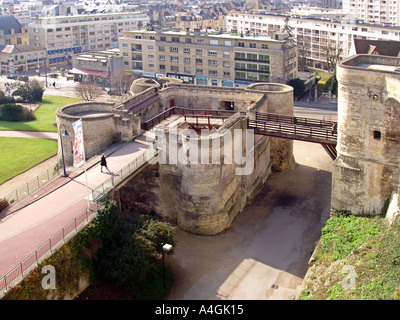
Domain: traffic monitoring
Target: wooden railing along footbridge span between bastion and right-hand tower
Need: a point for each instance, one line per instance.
(294, 131)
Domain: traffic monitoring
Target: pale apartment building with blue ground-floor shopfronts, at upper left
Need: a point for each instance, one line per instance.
(64, 35)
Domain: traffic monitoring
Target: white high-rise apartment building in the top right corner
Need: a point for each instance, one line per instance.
(374, 11)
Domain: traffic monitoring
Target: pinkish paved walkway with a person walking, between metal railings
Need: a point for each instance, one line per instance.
(46, 212)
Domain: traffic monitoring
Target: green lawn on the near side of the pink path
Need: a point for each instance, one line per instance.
(20, 154)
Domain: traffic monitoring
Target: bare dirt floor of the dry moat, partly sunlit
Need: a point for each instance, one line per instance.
(265, 253)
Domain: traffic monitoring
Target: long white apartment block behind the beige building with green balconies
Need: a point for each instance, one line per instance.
(312, 35)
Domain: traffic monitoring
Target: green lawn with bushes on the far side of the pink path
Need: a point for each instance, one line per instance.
(45, 116)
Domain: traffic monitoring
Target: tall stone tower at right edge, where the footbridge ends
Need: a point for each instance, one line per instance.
(367, 169)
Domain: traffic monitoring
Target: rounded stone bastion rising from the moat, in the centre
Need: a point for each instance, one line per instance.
(205, 198)
